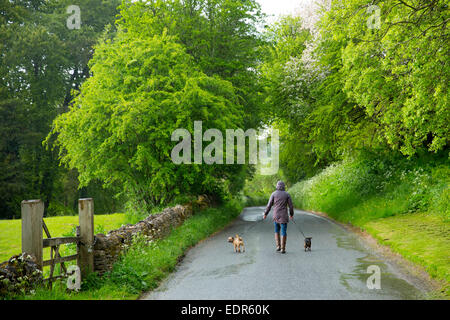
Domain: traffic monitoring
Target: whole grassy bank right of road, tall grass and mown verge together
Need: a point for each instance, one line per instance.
(404, 204)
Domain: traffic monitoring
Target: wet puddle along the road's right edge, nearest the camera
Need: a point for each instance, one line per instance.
(392, 287)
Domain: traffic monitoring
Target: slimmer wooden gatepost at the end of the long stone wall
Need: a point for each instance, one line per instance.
(86, 219)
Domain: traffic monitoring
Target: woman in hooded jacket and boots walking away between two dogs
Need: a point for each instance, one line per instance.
(280, 200)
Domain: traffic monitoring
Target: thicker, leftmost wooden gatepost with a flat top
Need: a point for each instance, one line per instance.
(32, 215)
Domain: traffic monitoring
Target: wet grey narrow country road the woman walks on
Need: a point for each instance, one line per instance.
(336, 268)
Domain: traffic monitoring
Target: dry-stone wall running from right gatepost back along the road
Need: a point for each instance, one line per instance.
(107, 248)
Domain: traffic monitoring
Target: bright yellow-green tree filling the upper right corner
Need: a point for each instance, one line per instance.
(398, 73)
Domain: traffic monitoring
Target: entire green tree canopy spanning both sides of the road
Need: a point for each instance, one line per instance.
(350, 76)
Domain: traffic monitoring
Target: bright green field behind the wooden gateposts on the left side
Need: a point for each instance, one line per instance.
(10, 231)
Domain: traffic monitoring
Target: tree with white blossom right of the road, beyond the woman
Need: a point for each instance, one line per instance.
(289, 96)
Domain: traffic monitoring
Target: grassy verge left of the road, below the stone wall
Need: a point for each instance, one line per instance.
(145, 264)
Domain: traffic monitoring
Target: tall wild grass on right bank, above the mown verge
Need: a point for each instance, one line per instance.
(366, 188)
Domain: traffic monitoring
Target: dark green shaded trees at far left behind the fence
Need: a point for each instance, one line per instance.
(41, 62)
